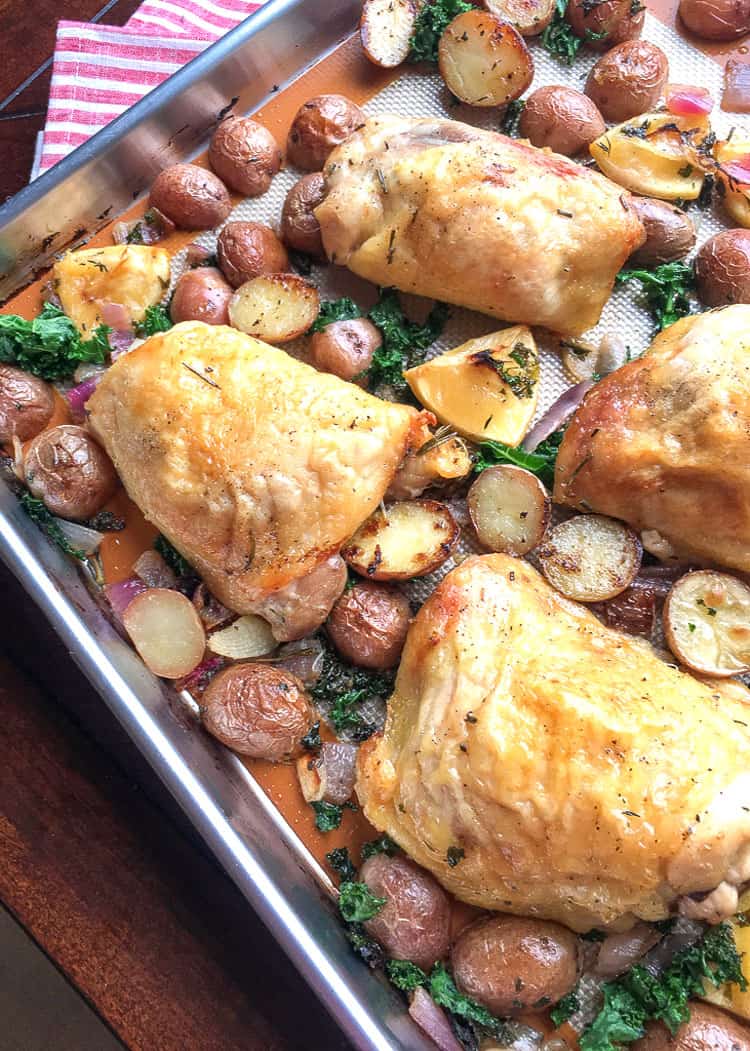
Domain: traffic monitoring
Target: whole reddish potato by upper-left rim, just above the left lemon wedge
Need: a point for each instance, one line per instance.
(194, 198)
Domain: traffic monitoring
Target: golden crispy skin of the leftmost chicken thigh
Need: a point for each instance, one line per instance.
(256, 466)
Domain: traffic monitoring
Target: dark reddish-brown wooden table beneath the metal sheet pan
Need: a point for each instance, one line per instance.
(96, 862)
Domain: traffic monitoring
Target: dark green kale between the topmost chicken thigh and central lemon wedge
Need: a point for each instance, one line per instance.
(403, 341)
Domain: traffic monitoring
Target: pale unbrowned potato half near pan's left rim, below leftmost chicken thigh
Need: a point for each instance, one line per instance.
(166, 631)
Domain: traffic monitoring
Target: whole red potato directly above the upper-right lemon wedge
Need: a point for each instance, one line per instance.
(629, 80)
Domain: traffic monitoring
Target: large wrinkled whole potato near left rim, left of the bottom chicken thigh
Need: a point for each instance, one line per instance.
(258, 711)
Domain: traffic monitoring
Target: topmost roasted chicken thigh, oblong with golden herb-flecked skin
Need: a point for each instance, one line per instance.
(476, 219)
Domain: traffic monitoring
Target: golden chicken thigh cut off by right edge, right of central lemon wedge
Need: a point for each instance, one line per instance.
(664, 443)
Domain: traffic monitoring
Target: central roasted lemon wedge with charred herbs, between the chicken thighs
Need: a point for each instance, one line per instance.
(486, 389)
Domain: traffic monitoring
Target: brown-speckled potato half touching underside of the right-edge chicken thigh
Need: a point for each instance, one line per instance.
(591, 559)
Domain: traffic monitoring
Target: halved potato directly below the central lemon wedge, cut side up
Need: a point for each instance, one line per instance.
(510, 509)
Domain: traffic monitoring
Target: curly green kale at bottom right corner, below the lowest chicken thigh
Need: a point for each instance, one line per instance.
(639, 997)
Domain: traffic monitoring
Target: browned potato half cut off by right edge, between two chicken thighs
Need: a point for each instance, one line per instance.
(707, 623)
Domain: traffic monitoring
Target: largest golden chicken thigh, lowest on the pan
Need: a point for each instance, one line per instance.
(587, 780)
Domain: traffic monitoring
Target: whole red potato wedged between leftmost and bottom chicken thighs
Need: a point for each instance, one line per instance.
(368, 626)
